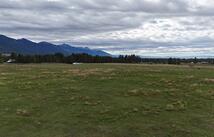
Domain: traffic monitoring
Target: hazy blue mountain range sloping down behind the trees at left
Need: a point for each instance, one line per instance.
(25, 46)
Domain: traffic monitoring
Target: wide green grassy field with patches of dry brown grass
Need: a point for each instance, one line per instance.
(106, 100)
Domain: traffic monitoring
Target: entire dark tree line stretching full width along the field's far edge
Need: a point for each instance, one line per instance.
(85, 58)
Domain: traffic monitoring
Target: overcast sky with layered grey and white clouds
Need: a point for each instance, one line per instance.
(153, 28)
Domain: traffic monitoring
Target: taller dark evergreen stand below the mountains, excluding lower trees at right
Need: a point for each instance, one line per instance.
(81, 58)
